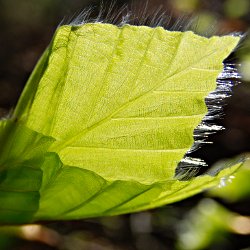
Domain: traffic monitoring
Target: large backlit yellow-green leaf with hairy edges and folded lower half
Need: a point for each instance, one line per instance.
(107, 115)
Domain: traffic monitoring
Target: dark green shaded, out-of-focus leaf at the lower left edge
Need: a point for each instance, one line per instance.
(20, 173)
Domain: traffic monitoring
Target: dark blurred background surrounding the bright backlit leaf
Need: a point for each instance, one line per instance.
(26, 29)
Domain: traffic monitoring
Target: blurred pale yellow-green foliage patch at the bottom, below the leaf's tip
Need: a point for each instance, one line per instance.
(208, 222)
